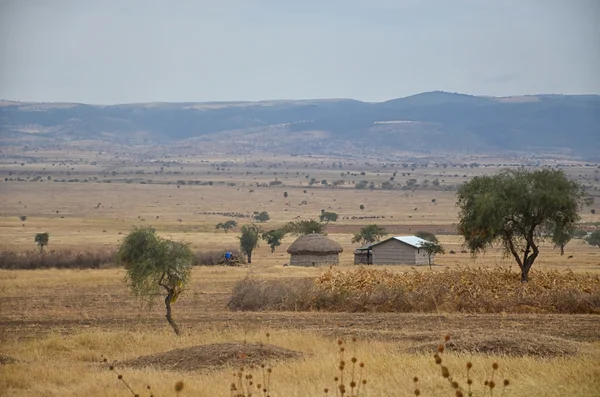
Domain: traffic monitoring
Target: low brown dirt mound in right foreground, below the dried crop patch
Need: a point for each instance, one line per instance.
(510, 344)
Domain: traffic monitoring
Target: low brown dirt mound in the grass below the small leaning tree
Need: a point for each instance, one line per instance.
(212, 356)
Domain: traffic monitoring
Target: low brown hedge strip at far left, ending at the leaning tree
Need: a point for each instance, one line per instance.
(60, 259)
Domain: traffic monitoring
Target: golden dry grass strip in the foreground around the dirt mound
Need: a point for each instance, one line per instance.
(58, 366)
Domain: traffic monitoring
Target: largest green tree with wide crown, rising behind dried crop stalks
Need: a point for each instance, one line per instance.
(516, 208)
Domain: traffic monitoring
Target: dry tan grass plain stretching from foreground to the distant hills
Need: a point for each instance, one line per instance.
(56, 324)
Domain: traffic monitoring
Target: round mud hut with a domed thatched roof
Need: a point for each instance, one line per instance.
(314, 250)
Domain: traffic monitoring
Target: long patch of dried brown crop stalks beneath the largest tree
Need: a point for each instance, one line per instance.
(470, 290)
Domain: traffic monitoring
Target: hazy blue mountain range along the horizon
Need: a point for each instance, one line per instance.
(431, 122)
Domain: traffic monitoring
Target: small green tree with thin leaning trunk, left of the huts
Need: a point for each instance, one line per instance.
(153, 263)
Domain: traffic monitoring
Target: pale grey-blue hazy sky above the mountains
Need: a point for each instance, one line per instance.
(115, 51)
